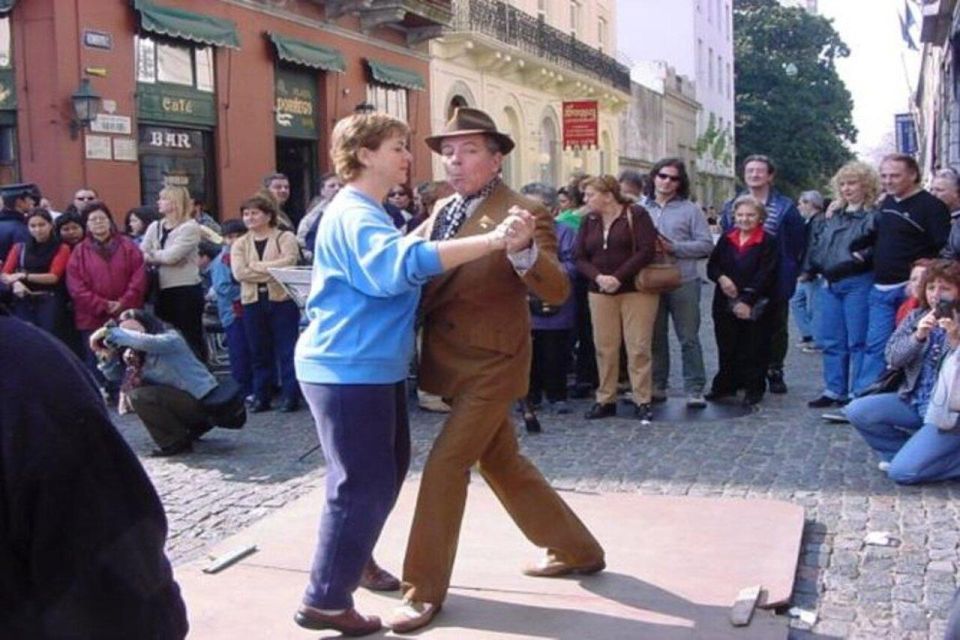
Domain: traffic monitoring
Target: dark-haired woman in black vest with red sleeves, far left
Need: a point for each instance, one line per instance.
(34, 272)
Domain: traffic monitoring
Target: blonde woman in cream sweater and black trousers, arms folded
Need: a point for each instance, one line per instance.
(170, 251)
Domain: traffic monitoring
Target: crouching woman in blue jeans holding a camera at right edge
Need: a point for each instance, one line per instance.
(902, 427)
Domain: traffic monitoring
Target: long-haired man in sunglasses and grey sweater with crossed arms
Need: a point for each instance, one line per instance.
(686, 236)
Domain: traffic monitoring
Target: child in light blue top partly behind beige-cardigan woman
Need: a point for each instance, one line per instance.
(227, 292)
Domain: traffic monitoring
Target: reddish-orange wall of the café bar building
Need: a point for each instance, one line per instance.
(49, 61)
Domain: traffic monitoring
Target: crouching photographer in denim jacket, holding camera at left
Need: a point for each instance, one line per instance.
(162, 378)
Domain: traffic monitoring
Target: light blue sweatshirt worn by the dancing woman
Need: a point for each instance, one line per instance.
(363, 296)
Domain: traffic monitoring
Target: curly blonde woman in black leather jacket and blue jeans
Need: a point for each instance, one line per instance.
(840, 249)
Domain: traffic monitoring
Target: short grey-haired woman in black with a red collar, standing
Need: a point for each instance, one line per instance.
(744, 266)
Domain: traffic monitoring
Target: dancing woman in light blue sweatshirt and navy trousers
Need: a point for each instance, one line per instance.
(353, 358)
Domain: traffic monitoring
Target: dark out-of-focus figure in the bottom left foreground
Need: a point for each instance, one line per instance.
(81, 528)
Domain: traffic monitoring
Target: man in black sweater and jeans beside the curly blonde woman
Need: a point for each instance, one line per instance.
(912, 224)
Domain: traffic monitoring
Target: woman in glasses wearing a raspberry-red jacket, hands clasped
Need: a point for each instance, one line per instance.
(105, 276)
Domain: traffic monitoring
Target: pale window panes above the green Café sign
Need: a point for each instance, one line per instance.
(174, 63)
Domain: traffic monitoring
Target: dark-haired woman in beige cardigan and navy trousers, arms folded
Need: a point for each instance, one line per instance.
(270, 317)
